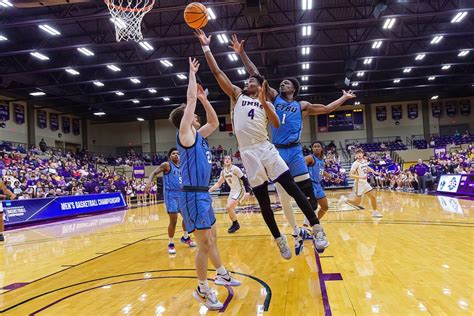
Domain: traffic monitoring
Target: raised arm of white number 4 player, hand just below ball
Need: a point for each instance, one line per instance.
(223, 81)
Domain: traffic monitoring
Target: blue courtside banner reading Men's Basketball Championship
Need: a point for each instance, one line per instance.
(27, 211)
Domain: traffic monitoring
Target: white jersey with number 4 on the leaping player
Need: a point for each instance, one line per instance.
(250, 121)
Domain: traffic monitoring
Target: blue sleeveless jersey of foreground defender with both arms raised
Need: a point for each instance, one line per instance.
(196, 163)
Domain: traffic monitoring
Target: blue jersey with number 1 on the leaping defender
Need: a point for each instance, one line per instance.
(291, 122)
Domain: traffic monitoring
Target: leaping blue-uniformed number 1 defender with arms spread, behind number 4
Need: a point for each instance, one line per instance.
(287, 137)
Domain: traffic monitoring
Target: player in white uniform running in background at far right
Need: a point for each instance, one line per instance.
(359, 171)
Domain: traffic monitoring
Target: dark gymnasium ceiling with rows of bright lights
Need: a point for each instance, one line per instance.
(341, 31)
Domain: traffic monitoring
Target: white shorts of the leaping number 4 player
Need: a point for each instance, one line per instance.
(262, 162)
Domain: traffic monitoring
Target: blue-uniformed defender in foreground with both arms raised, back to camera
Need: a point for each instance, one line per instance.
(196, 165)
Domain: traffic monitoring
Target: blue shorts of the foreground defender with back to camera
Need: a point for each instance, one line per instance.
(197, 210)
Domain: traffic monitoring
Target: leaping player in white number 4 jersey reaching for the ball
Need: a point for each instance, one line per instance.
(250, 116)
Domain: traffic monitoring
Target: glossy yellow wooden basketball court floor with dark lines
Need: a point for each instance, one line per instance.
(418, 259)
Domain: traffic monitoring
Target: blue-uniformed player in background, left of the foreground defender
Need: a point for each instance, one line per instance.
(171, 194)
